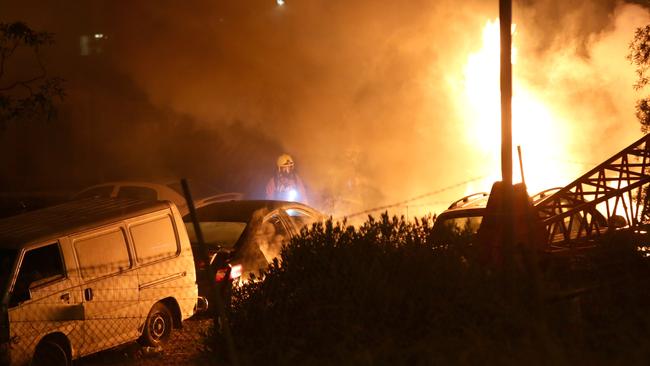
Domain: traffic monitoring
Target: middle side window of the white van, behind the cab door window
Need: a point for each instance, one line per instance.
(102, 255)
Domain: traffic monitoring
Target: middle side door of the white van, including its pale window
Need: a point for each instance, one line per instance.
(110, 288)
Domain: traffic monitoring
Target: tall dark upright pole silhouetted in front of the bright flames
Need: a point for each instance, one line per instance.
(505, 20)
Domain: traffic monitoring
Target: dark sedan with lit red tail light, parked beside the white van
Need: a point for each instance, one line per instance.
(242, 238)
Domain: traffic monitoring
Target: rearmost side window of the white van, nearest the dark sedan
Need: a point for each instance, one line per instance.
(154, 240)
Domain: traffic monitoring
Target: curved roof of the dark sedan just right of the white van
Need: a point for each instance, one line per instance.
(243, 210)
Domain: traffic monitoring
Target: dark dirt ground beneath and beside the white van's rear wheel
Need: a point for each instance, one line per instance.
(183, 348)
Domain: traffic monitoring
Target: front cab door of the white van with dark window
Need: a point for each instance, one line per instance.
(44, 299)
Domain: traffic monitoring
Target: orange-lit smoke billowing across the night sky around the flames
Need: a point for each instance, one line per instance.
(366, 95)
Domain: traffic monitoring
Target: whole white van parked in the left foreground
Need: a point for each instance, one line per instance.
(89, 275)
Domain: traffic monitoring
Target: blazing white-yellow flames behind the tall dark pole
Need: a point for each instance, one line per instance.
(536, 127)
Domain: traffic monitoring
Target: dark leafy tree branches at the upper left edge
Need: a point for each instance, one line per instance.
(30, 96)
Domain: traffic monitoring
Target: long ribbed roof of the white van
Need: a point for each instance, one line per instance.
(70, 217)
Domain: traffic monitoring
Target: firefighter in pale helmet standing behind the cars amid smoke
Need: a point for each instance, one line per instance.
(286, 185)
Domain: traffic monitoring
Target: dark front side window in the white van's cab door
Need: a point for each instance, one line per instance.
(39, 266)
